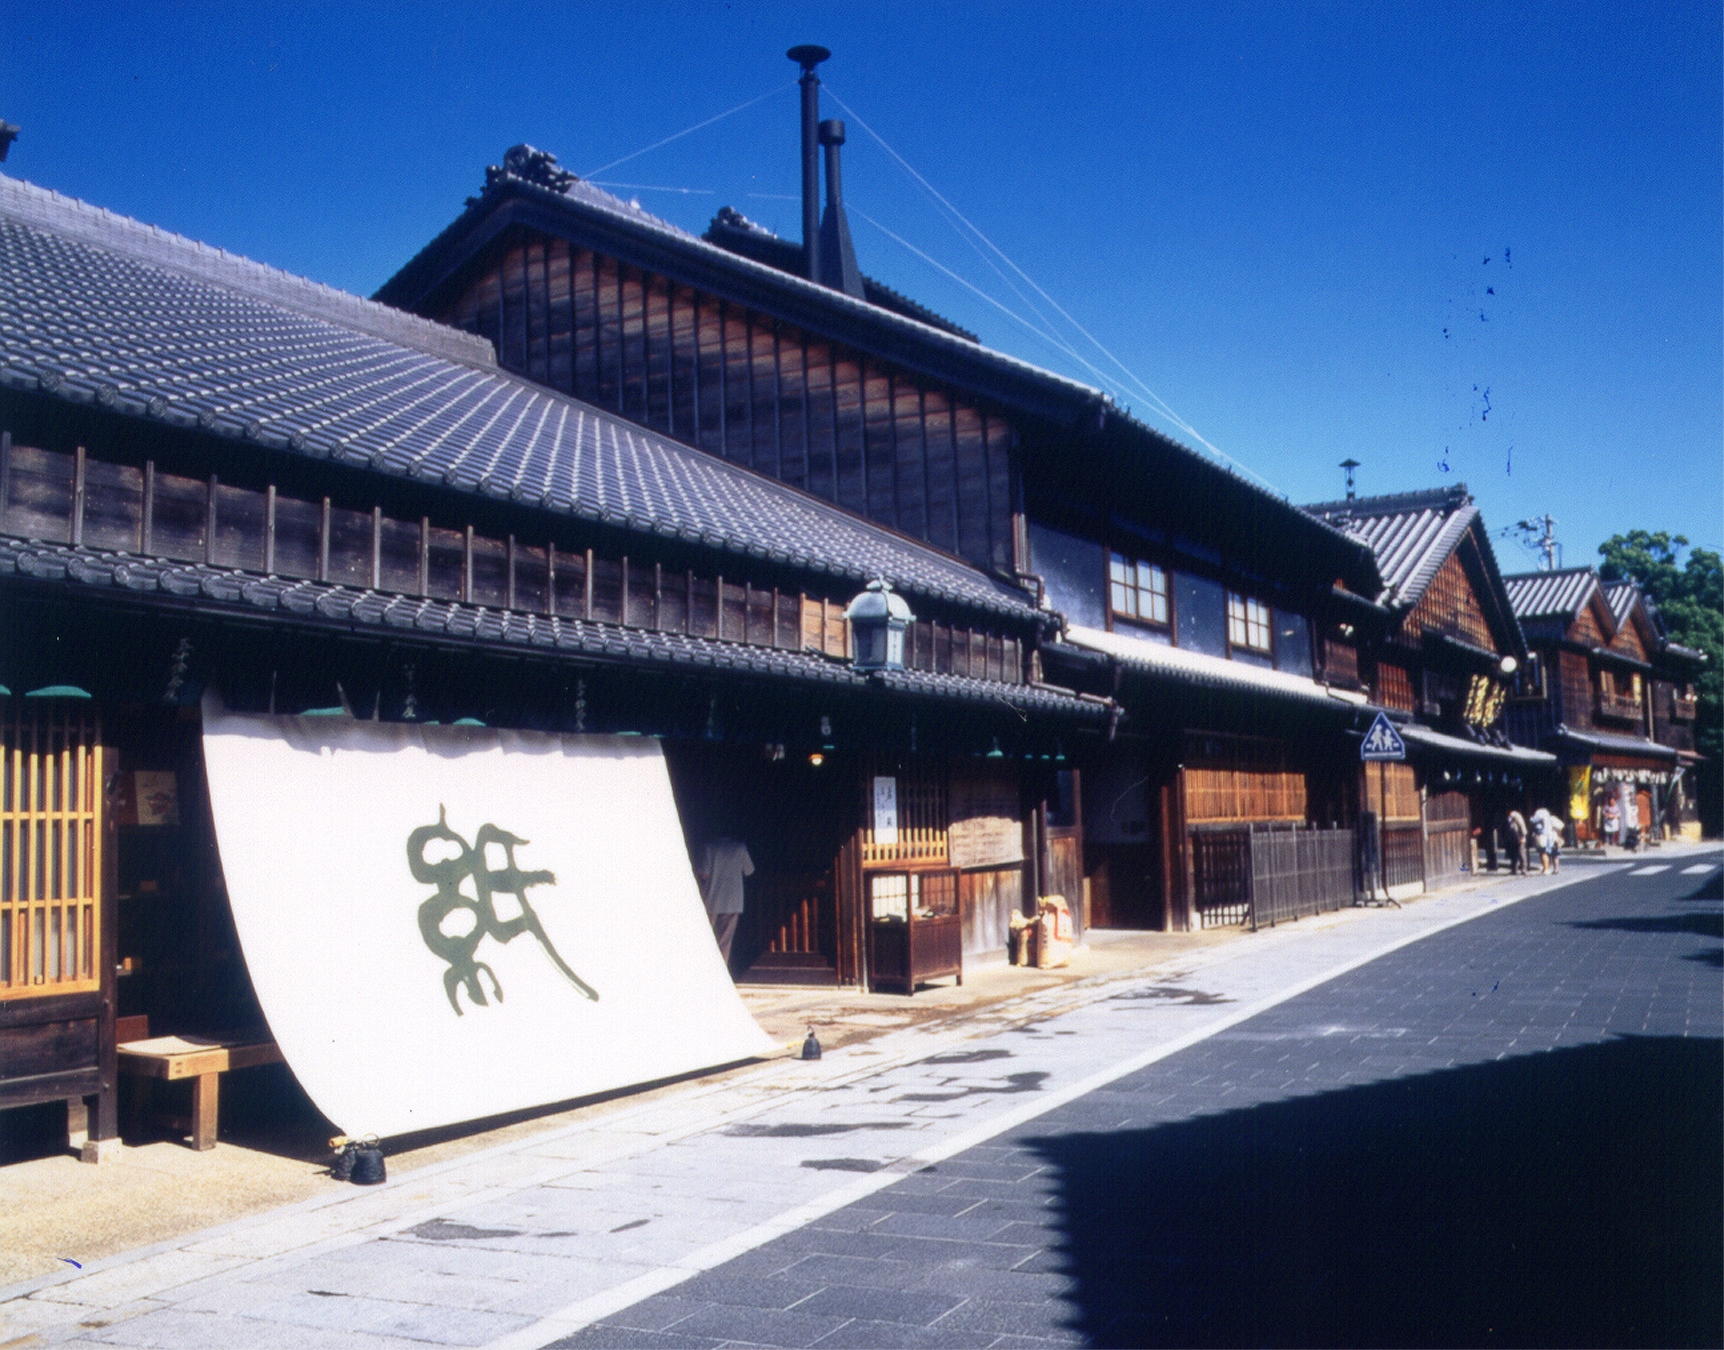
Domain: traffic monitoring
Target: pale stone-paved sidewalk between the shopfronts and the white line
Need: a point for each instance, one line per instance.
(532, 1242)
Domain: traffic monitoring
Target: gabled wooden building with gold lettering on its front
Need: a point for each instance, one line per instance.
(1444, 663)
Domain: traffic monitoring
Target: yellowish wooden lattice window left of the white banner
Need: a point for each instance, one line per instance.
(51, 851)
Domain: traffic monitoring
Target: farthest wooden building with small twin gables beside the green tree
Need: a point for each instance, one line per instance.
(1587, 696)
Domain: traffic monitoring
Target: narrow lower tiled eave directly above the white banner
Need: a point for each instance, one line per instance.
(325, 603)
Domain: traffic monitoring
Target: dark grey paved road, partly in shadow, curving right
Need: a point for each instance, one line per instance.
(1508, 1134)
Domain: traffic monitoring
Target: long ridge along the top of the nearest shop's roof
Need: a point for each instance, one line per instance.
(39, 208)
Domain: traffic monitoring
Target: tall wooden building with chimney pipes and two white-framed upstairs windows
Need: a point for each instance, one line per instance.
(865, 399)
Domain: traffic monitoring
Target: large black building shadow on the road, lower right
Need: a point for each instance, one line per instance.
(1556, 1199)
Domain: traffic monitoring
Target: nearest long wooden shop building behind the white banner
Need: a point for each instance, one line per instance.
(218, 478)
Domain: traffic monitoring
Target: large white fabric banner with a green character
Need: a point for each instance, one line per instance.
(453, 923)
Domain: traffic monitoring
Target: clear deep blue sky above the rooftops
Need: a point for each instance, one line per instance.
(1452, 242)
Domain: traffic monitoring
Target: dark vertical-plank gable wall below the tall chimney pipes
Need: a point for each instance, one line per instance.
(749, 387)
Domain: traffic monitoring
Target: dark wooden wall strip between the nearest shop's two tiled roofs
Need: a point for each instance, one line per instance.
(104, 503)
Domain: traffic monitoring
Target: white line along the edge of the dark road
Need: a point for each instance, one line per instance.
(587, 1311)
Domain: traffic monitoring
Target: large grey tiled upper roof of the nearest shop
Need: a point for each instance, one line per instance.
(96, 308)
